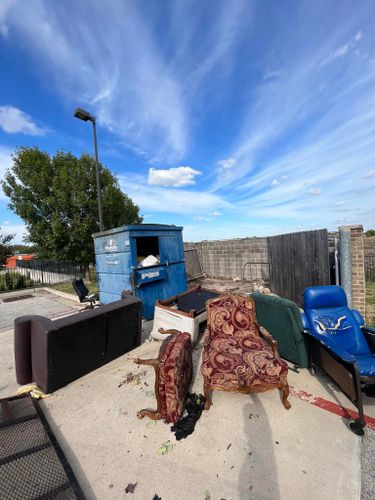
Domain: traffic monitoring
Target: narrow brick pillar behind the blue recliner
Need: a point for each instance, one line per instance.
(358, 269)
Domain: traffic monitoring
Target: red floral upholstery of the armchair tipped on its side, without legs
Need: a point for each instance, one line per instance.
(176, 368)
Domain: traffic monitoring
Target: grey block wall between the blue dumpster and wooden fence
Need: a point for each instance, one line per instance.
(227, 258)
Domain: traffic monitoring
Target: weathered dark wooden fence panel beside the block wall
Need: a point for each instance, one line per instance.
(298, 260)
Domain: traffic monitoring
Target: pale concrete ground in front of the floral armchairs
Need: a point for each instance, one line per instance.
(244, 447)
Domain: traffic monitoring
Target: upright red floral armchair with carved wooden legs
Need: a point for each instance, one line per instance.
(239, 355)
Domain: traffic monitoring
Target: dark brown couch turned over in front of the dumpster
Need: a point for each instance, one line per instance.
(54, 353)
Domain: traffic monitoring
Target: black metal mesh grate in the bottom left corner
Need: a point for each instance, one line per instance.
(32, 464)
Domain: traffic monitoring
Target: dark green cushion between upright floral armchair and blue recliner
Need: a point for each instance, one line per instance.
(281, 317)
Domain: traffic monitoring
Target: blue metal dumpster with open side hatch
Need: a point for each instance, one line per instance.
(119, 253)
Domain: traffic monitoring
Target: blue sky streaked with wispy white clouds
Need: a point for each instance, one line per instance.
(231, 118)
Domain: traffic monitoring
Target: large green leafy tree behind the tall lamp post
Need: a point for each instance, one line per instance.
(56, 197)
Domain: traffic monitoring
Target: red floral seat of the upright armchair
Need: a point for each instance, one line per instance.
(242, 360)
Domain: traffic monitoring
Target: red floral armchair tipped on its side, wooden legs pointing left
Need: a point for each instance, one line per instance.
(173, 371)
